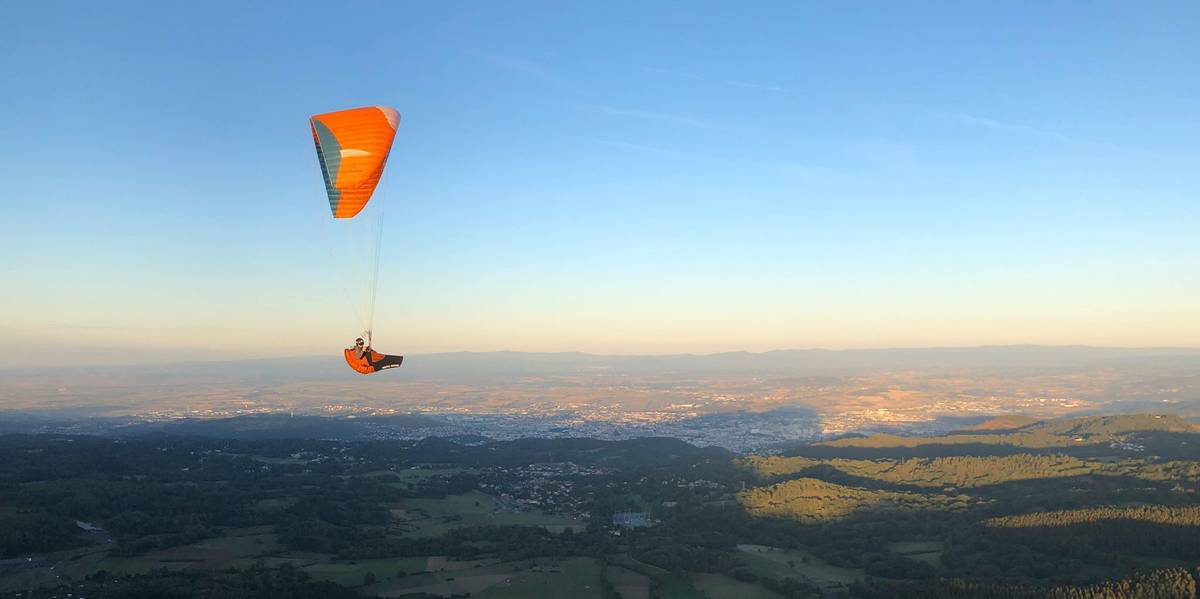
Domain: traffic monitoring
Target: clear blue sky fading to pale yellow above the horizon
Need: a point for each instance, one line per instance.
(603, 177)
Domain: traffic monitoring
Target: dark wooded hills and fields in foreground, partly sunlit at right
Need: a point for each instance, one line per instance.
(1069, 510)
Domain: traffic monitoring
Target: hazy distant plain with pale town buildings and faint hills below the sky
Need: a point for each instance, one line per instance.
(920, 390)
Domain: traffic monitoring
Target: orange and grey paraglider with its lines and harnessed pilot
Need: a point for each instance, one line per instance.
(353, 148)
